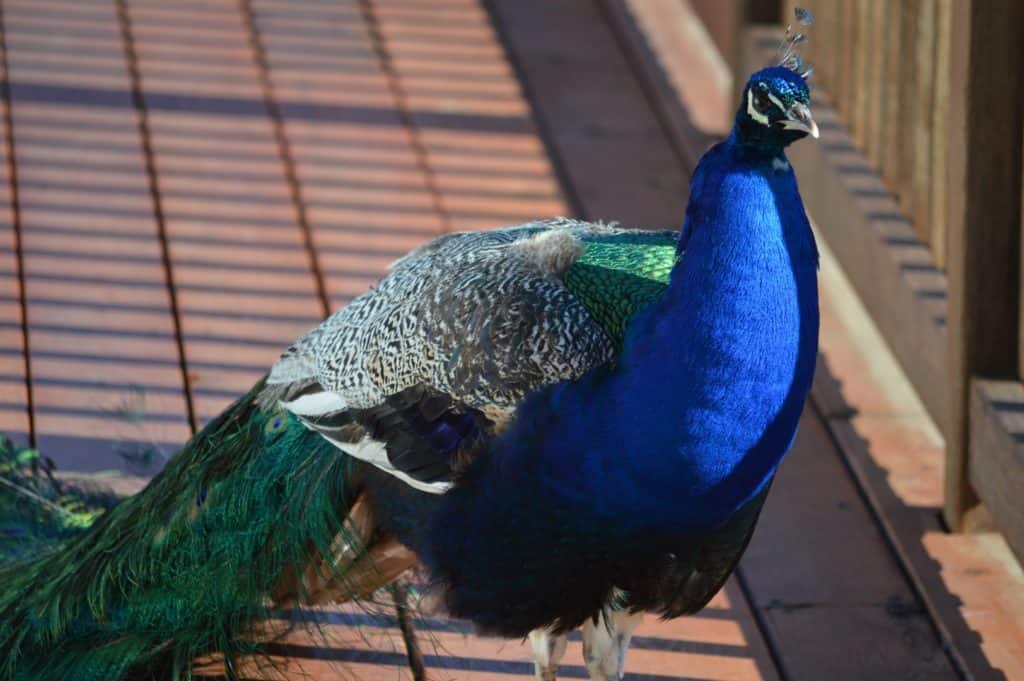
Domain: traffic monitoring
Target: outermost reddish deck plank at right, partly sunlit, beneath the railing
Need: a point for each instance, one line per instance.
(971, 584)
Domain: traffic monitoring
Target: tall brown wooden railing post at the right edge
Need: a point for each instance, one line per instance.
(985, 212)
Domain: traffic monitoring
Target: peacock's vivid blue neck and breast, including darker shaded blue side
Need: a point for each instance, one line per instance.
(709, 391)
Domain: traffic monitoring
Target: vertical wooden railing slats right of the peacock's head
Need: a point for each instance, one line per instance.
(886, 66)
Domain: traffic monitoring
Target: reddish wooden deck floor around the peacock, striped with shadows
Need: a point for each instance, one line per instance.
(190, 186)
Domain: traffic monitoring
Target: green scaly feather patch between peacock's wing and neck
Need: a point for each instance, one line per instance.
(618, 275)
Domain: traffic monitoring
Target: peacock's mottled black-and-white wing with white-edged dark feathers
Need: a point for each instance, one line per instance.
(416, 374)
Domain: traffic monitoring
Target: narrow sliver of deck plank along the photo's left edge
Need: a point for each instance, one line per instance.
(15, 421)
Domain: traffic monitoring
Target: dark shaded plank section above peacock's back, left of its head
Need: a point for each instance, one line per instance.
(614, 151)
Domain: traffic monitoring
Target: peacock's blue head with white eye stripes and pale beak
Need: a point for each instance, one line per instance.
(776, 110)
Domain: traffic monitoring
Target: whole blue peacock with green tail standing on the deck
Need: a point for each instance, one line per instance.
(565, 424)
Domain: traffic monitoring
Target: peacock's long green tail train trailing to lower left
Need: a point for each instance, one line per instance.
(185, 568)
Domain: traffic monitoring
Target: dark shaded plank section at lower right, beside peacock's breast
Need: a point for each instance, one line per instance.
(833, 597)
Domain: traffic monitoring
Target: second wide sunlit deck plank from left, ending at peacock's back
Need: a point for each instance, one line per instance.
(231, 224)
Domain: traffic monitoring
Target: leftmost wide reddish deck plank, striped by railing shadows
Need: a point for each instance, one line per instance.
(107, 381)
